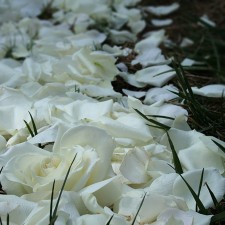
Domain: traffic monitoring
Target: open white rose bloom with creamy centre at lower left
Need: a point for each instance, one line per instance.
(28, 169)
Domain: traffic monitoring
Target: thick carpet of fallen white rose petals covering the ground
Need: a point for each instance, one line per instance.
(60, 71)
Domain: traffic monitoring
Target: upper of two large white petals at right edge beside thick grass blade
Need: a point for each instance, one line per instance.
(188, 144)
